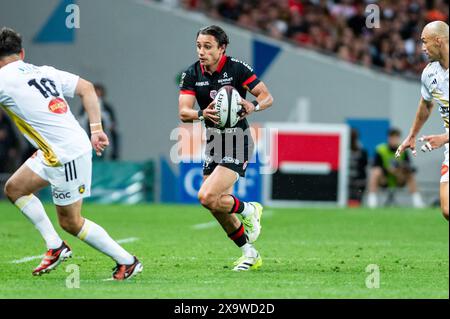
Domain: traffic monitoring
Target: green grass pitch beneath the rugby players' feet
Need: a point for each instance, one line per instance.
(307, 253)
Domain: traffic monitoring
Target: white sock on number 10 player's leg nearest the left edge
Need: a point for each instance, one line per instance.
(32, 208)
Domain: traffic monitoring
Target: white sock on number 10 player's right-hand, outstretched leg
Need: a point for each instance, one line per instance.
(98, 238)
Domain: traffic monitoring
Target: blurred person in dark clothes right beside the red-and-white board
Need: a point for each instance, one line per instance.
(358, 166)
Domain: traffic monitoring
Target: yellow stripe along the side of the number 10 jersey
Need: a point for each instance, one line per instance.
(26, 129)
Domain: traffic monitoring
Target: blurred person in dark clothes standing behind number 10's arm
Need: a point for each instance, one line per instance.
(108, 121)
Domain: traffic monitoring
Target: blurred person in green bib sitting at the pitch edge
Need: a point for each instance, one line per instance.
(391, 172)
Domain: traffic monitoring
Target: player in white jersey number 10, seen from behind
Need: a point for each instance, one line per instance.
(34, 98)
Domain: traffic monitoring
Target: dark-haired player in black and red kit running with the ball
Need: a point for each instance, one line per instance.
(229, 150)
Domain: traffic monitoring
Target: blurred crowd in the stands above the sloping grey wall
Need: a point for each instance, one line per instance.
(337, 27)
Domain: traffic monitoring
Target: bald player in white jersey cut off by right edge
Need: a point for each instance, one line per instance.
(435, 38)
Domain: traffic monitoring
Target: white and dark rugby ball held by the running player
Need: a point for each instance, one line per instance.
(227, 106)
